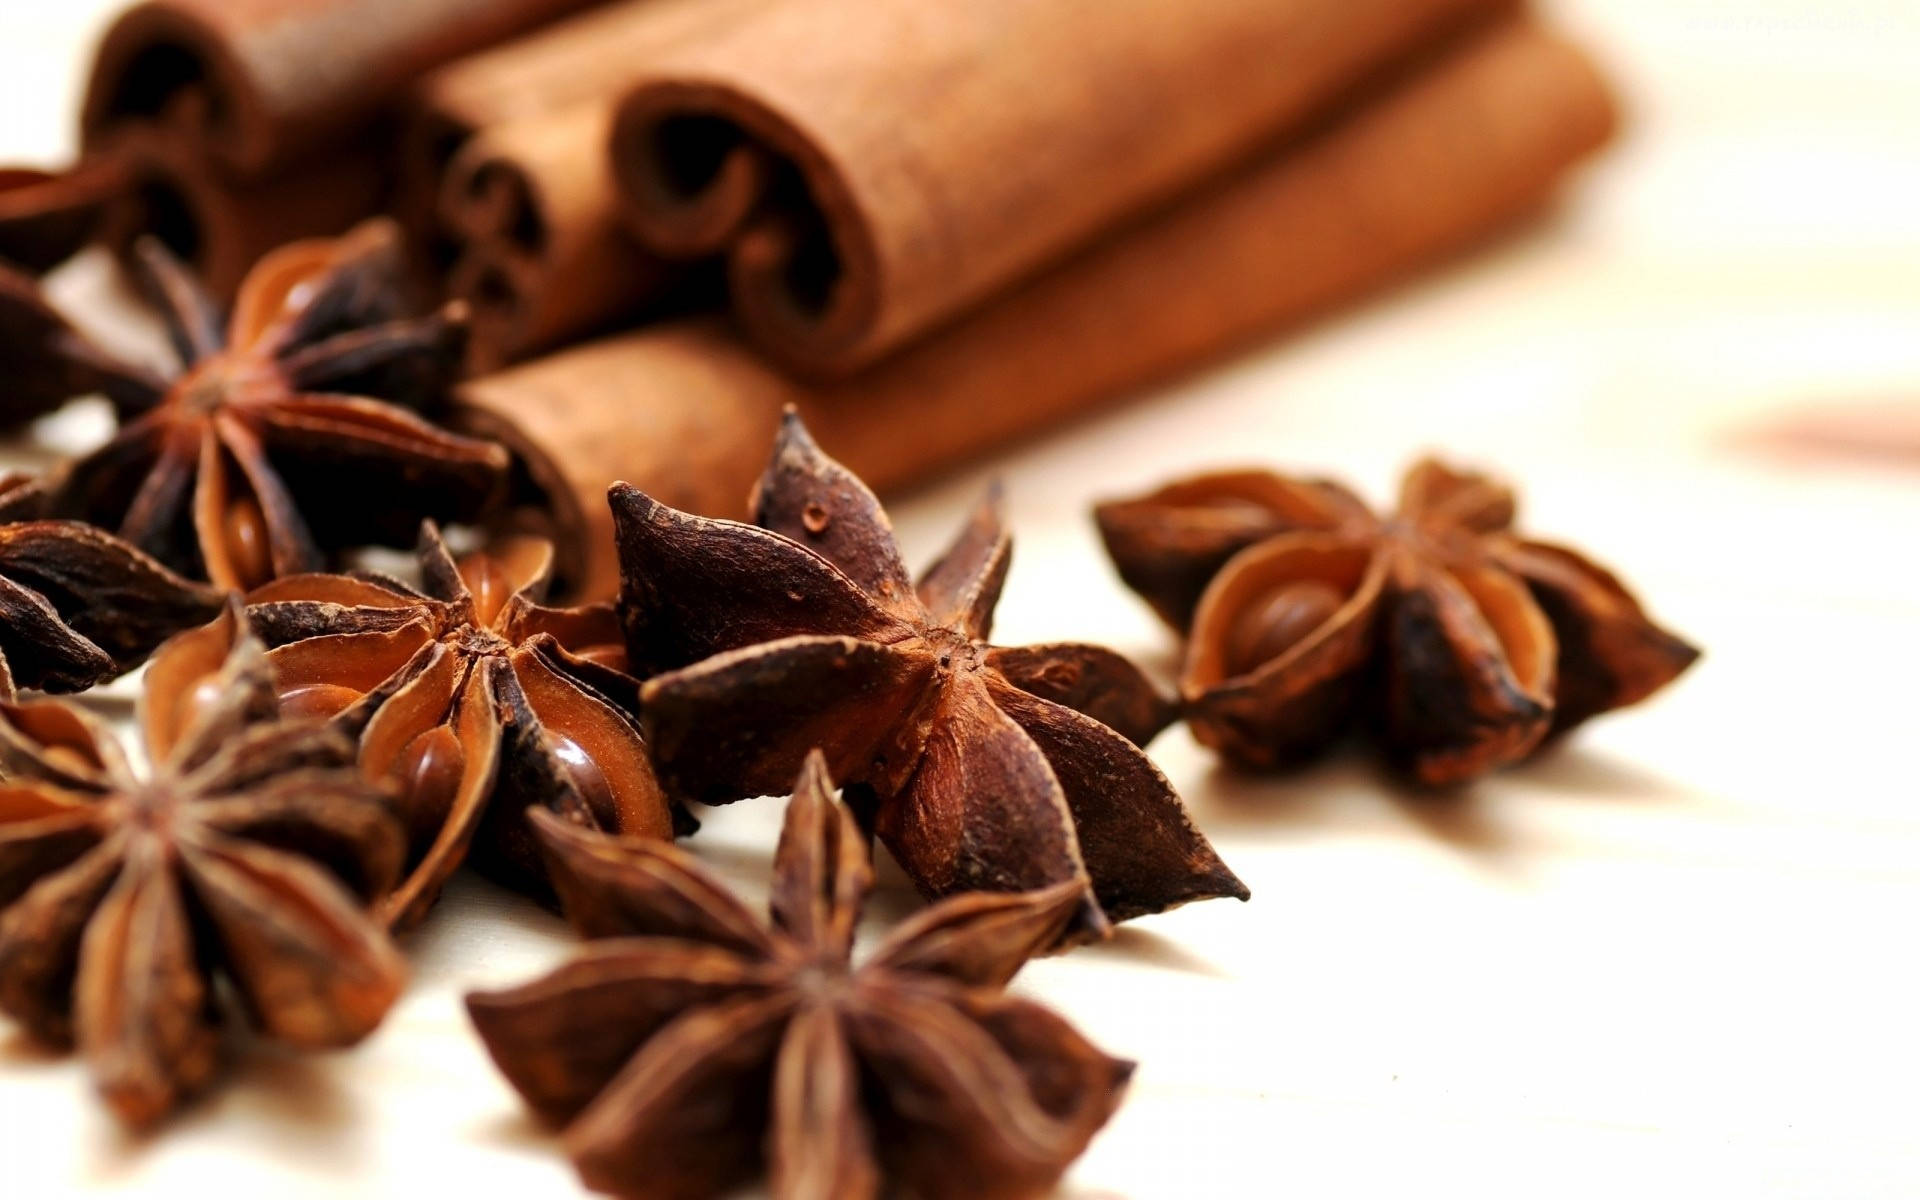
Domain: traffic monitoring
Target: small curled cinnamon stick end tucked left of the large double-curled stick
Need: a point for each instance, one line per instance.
(542, 254)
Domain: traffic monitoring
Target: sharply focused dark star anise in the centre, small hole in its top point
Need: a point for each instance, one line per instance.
(984, 767)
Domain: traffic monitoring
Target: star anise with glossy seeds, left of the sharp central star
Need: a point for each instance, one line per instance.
(473, 702)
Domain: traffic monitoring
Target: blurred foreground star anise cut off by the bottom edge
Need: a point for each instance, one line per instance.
(696, 1047)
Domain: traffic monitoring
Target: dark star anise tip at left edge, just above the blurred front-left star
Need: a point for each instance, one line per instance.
(78, 606)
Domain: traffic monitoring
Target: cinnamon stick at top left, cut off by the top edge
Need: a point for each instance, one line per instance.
(258, 84)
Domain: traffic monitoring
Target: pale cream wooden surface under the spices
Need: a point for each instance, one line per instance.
(1675, 959)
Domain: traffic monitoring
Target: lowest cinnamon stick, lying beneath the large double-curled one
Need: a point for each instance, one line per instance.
(686, 412)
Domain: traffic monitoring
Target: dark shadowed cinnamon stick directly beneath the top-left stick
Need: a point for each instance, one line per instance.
(218, 224)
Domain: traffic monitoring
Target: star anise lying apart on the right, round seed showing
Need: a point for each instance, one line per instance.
(1458, 640)
